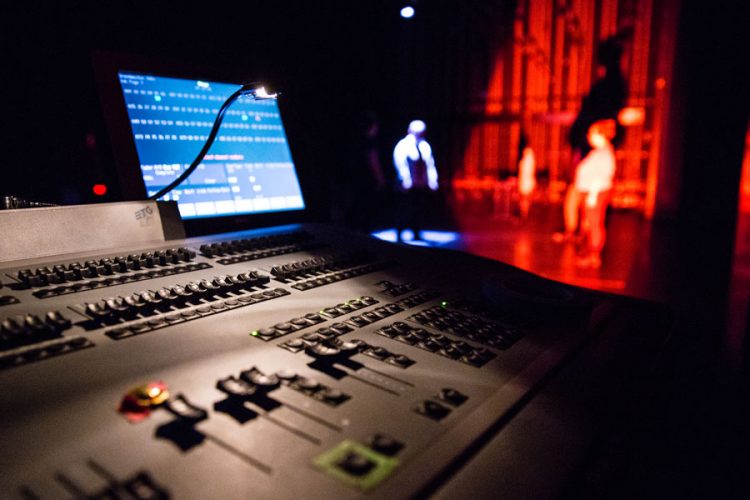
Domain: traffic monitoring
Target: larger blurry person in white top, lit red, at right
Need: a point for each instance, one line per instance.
(593, 183)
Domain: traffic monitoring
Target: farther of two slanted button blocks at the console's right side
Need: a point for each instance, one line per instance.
(470, 326)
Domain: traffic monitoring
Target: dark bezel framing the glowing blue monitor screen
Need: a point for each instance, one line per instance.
(106, 67)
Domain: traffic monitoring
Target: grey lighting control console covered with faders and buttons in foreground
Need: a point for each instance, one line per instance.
(289, 362)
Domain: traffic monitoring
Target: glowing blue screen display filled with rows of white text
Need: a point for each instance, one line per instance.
(249, 167)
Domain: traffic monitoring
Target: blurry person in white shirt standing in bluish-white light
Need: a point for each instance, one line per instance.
(417, 175)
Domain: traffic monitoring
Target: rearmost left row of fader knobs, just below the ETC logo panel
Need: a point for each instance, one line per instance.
(76, 271)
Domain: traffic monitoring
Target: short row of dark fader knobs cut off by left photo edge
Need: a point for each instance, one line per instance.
(30, 328)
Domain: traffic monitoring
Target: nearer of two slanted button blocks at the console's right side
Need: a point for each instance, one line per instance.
(437, 343)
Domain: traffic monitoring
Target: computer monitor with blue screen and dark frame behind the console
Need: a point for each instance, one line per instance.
(159, 119)
